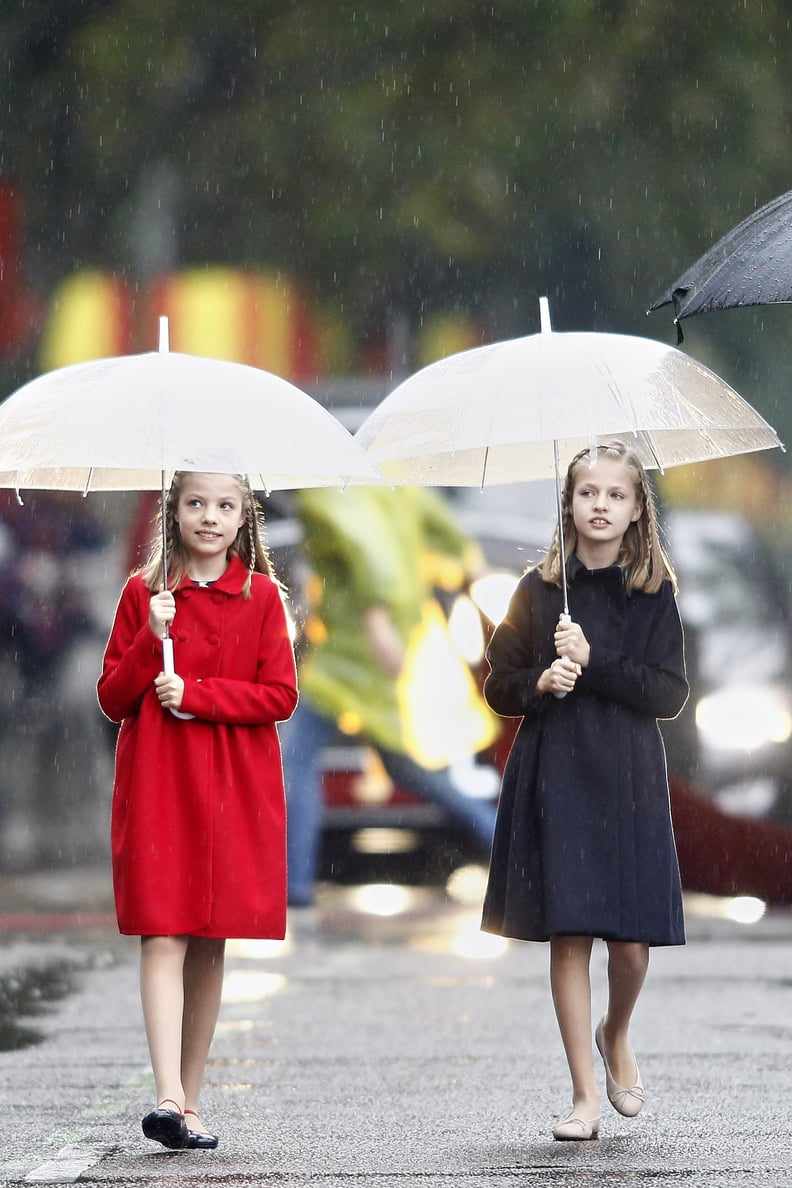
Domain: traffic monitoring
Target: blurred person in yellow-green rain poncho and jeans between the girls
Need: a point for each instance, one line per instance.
(376, 661)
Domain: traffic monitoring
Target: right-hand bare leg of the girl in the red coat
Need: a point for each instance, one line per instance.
(204, 984)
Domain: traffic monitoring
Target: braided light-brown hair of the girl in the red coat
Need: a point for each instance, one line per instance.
(249, 546)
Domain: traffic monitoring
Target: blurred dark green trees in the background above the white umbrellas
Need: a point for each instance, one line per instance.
(408, 159)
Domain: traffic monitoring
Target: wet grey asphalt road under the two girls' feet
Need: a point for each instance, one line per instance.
(389, 1051)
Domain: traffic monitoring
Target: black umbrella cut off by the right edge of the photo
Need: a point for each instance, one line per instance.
(751, 266)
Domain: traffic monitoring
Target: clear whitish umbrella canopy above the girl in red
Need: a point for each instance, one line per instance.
(123, 424)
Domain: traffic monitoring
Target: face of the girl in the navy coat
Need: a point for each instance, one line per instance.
(605, 504)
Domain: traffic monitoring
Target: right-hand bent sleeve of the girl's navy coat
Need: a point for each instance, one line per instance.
(656, 685)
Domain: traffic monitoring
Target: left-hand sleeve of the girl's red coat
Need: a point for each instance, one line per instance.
(134, 656)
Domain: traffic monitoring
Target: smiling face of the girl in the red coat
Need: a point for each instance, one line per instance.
(210, 514)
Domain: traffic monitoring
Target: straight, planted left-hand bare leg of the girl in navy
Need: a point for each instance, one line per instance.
(572, 991)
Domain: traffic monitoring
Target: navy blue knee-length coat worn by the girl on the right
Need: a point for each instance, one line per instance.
(584, 842)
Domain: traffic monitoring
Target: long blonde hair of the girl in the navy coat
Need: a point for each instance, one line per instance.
(642, 557)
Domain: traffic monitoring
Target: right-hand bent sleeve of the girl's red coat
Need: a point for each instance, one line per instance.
(273, 696)
